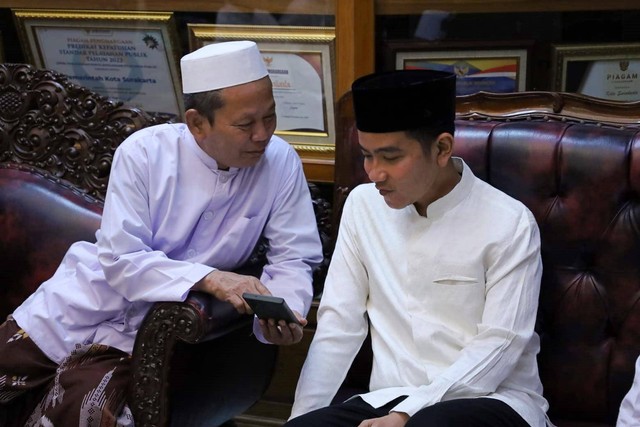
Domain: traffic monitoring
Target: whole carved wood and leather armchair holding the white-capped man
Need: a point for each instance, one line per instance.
(192, 362)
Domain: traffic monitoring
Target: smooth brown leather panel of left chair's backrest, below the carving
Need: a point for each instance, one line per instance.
(39, 220)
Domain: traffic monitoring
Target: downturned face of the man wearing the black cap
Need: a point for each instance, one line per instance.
(402, 172)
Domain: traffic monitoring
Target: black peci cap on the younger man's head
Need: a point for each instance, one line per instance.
(404, 100)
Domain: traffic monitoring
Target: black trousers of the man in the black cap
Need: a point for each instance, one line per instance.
(480, 412)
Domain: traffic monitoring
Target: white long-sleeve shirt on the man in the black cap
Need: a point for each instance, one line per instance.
(451, 299)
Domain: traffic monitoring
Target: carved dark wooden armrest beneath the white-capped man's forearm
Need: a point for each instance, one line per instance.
(200, 317)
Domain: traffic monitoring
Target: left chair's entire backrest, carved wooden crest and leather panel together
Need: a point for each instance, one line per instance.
(56, 146)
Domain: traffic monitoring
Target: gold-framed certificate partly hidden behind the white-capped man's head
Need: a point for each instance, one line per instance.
(300, 61)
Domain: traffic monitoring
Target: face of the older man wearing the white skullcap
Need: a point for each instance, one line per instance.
(243, 127)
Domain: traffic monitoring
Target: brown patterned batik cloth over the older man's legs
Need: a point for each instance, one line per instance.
(87, 389)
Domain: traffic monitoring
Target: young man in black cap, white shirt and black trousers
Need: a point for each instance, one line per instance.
(440, 268)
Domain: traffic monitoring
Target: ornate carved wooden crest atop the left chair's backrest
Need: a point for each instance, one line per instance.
(51, 124)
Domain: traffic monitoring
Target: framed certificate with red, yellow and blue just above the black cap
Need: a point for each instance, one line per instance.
(484, 67)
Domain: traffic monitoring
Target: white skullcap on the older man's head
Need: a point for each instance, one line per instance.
(220, 65)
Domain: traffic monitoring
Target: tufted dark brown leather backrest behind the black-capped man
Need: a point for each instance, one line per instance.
(581, 179)
